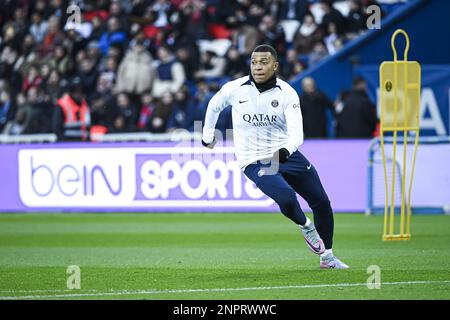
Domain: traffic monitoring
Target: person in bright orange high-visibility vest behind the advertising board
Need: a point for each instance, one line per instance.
(71, 117)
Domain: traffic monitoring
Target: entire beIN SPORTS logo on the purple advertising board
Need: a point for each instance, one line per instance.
(132, 177)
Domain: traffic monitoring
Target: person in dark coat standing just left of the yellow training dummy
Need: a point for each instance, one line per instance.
(358, 117)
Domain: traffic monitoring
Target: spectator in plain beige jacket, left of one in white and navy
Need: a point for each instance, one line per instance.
(136, 73)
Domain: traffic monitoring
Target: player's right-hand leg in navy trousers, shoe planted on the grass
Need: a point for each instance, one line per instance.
(304, 179)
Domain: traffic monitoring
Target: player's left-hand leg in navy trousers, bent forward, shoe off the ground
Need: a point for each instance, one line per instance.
(276, 187)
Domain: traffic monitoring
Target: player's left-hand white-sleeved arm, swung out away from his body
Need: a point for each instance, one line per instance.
(217, 103)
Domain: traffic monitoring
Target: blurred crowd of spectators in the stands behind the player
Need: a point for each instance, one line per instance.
(133, 66)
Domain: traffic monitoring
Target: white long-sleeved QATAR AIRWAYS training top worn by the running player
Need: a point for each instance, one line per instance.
(262, 122)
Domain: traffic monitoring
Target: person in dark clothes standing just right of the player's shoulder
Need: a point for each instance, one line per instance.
(314, 104)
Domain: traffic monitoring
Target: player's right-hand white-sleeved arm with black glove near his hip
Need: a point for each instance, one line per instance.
(294, 123)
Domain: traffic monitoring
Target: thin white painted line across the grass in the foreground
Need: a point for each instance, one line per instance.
(149, 292)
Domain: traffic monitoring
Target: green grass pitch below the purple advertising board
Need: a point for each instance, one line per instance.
(215, 256)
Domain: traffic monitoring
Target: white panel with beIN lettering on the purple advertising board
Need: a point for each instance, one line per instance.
(74, 177)
